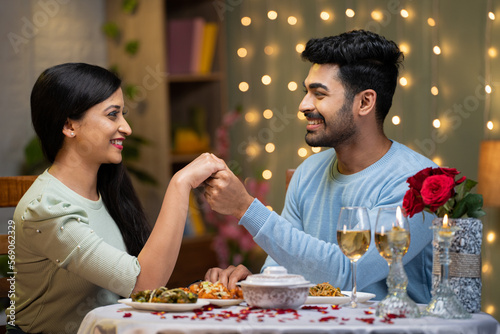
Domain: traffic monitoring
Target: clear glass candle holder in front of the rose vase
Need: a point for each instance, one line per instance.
(444, 302)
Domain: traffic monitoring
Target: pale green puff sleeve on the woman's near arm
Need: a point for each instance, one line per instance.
(59, 231)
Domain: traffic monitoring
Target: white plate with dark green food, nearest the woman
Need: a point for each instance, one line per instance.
(164, 299)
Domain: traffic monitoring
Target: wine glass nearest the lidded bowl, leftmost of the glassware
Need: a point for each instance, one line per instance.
(353, 237)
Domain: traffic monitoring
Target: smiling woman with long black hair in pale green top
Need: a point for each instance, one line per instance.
(80, 230)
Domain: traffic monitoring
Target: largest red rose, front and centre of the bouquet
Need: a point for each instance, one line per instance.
(437, 190)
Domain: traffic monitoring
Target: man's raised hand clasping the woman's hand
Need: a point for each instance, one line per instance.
(226, 194)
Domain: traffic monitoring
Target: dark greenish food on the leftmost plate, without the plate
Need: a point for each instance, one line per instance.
(165, 295)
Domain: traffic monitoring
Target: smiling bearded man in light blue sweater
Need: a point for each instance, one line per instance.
(348, 94)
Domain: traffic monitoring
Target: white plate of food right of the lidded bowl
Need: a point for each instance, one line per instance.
(325, 293)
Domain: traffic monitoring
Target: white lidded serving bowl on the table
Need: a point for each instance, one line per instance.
(275, 288)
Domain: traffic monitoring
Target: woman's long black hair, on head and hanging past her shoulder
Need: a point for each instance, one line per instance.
(67, 91)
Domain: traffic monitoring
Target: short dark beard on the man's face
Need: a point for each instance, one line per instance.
(343, 129)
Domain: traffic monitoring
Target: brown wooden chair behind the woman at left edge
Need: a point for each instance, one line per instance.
(12, 188)
